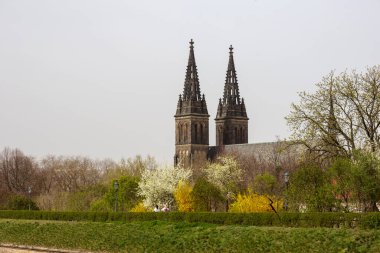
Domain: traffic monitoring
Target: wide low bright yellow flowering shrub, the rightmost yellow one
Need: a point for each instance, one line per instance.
(253, 202)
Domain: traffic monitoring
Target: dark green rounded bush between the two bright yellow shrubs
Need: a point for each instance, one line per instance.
(205, 196)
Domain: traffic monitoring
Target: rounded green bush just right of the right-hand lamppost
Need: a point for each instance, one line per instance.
(311, 188)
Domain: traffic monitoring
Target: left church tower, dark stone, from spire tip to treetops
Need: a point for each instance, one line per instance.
(191, 120)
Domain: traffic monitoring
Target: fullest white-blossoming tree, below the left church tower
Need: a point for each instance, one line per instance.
(158, 186)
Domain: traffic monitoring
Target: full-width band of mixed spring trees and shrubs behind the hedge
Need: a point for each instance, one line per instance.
(234, 183)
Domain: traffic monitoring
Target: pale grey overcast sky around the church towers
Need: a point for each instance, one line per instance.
(102, 78)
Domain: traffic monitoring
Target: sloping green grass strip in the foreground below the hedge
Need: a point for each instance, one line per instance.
(160, 236)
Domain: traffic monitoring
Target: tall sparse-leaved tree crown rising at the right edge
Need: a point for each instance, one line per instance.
(341, 116)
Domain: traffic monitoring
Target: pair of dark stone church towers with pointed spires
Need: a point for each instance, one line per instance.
(192, 147)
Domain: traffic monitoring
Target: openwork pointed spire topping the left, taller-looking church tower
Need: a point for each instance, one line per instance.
(191, 90)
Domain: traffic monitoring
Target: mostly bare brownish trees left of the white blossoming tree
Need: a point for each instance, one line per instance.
(61, 183)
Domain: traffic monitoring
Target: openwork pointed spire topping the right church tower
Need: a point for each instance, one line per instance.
(231, 88)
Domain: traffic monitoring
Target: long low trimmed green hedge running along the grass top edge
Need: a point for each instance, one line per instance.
(350, 220)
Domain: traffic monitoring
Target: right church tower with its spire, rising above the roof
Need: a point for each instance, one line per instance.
(231, 117)
